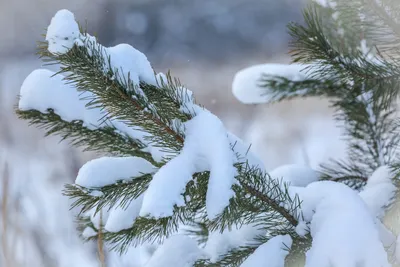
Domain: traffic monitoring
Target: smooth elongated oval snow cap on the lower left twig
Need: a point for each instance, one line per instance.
(108, 170)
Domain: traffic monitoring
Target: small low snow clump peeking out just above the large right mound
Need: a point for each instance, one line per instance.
(296, 175)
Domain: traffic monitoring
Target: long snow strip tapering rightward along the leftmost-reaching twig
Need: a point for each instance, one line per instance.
(43, 89)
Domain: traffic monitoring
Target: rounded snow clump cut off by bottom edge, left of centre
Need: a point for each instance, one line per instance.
(177, 250)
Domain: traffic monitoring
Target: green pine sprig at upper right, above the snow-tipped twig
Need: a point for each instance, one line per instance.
(312, 45)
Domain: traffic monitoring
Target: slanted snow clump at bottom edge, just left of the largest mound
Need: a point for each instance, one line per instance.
(271, 253)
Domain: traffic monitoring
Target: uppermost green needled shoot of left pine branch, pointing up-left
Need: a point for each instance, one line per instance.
(85, 68)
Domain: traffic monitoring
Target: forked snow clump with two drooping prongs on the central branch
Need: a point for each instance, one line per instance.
(206, 147)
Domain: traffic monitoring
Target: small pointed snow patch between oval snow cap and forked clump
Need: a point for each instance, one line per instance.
(121, 218)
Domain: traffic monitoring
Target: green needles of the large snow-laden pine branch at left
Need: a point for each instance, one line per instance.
(160, 111)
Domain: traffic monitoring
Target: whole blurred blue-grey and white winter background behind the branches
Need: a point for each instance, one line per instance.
(204, 43)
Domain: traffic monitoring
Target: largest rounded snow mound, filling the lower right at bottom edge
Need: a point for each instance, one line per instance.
(343, 230)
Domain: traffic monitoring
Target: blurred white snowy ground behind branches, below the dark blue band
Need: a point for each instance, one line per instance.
(39, 226)
